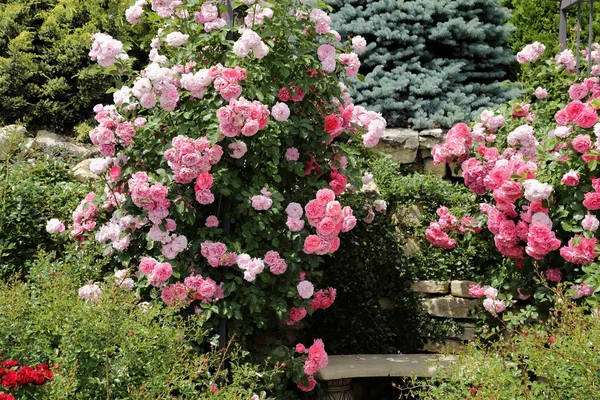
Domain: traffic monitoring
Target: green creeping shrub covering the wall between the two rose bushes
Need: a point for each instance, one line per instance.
(412, 202)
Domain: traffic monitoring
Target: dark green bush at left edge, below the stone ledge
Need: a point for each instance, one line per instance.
(34, 187)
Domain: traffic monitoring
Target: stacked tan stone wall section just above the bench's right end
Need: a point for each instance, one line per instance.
(449, 300)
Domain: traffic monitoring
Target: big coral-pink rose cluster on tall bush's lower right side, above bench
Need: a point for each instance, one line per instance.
(329, 218)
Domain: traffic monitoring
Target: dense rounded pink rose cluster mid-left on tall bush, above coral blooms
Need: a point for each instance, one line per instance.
(189, 158)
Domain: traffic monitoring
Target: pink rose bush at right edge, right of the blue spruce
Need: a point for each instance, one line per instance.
(534, 166)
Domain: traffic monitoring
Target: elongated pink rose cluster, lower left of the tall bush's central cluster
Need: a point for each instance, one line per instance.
(150, 198)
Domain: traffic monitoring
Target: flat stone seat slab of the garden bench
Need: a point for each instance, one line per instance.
(380, 365)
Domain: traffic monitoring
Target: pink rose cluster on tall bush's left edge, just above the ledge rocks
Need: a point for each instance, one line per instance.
(111, 131)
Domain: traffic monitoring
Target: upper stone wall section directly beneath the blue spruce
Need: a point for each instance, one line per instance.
(407, 146)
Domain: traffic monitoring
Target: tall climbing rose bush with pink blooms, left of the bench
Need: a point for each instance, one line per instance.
(224, 159)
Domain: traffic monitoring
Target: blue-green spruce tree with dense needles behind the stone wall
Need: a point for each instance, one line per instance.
(429, 63)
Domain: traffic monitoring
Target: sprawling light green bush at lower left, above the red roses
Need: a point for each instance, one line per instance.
(114, 348)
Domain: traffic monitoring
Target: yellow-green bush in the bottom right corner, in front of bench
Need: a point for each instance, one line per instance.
(557, 359)
